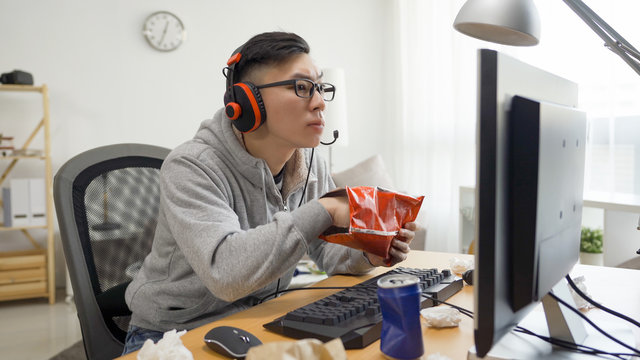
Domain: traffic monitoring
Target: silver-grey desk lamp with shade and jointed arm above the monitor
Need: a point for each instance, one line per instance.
(516, 22)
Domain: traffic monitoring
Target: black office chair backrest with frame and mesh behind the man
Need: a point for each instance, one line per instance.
(107, 202)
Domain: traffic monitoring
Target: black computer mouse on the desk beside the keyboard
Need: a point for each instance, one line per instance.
(231, 341)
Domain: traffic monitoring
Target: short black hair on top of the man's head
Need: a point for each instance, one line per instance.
(270, 48)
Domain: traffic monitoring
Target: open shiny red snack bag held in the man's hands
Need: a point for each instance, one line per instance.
(376, 214)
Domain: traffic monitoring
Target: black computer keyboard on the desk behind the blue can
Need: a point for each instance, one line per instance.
(353, 314)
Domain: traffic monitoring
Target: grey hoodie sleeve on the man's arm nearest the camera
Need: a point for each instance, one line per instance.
(232, 262)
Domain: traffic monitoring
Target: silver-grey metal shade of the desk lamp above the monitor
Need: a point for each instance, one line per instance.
(508, 22)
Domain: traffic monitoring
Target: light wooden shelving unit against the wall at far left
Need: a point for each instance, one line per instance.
(30, 273)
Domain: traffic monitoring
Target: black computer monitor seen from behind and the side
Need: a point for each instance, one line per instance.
(529, 190)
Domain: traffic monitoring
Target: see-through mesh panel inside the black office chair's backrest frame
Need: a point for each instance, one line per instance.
(122, 210)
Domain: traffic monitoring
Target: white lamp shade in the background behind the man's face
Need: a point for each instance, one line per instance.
(335, 112)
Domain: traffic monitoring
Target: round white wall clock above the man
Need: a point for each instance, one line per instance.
(164, 31)
